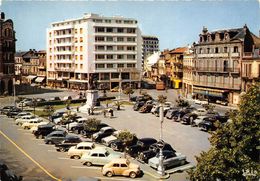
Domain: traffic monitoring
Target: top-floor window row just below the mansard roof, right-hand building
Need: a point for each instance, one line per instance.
(217, 50)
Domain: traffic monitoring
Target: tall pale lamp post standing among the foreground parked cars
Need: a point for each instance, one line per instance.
(160, 168)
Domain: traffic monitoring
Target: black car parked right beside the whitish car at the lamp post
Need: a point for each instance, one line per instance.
(152, 152)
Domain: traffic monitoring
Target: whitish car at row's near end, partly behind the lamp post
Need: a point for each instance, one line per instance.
(171, 159)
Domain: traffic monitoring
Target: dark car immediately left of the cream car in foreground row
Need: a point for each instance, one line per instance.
(68, 142)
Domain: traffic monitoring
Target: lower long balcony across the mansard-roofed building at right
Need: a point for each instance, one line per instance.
(216, 69)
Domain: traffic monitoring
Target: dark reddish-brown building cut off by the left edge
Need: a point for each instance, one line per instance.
(7, 51)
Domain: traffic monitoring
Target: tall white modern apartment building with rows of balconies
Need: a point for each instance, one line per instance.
(106, 51)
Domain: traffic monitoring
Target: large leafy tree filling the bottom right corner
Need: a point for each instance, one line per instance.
(234, 152)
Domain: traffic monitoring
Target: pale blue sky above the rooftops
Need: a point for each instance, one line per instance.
(175, 22)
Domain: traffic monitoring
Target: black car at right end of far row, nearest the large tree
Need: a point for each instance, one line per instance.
(209, 124)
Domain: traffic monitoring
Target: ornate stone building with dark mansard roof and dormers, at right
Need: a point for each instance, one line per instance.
(217, 63)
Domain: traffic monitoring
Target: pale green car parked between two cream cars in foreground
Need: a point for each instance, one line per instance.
(99, 156)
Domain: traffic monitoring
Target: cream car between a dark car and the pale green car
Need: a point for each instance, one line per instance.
(77, 151)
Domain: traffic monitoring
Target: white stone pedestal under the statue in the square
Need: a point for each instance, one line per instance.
(92, 96)
